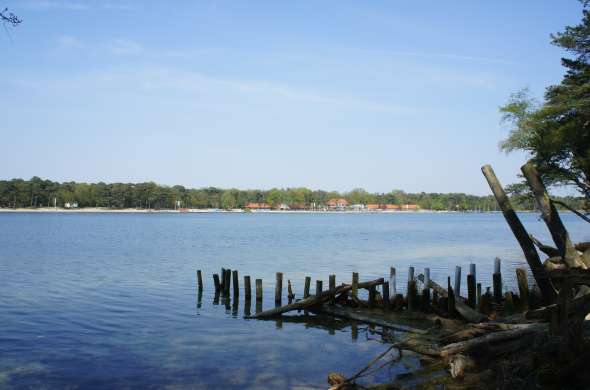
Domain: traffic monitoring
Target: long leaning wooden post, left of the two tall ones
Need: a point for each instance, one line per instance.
(527, 245)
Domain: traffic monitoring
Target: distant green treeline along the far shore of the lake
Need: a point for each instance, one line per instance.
(37, 192)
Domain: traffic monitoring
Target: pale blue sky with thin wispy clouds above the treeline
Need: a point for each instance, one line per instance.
(259, 94)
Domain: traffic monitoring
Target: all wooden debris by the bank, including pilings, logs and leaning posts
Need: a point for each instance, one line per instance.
(488, 323)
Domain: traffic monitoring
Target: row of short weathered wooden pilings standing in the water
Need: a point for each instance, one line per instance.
(421, 292)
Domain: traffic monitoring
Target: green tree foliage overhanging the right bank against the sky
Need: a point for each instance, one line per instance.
(556, 133)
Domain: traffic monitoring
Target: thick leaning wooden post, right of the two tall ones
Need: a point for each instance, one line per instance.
(551, 217)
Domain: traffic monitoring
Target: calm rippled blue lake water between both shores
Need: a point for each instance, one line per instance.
(109, 300)
